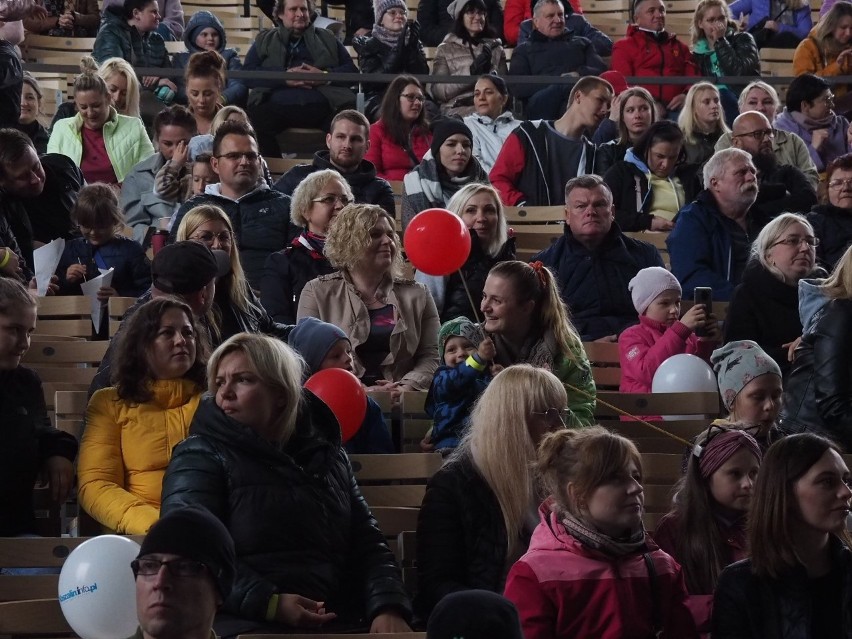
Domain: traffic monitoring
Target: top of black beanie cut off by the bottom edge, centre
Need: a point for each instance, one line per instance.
(474, 614)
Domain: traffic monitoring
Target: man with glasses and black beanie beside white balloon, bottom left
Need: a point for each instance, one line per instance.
(184, 571)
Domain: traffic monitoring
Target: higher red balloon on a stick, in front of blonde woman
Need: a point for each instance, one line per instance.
(437, 242)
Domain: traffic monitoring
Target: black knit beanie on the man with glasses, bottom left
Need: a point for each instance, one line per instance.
(192, 532)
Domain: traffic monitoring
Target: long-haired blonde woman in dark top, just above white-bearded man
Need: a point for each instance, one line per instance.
(702, 122)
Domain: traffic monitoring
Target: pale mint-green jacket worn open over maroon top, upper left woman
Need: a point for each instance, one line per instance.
(125, 139)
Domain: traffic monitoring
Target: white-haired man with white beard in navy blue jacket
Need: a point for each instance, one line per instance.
(712, 237)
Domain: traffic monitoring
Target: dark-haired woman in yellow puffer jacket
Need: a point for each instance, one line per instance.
(132, 427)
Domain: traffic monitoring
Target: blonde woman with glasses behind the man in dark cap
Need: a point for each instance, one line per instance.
(236, 308)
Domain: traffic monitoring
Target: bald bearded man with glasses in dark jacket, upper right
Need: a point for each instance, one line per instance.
(783, 187)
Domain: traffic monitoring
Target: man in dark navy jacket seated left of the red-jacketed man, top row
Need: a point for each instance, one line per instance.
(551, 50)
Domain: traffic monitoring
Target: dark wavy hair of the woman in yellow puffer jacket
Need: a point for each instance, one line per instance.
(131, 374)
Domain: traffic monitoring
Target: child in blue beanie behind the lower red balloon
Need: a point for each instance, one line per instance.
(324, 346)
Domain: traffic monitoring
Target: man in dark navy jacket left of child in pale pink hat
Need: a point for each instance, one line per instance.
(594, 262)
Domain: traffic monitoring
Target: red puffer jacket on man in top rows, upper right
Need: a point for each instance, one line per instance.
(639, 54)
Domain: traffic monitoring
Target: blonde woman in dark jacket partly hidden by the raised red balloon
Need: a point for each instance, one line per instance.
(480, 208)
